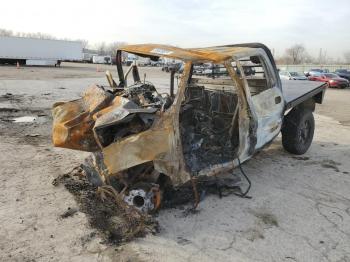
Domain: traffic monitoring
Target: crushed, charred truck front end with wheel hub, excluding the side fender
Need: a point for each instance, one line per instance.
(104, 116)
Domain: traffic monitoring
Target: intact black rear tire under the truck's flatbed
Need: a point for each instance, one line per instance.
(298, 131)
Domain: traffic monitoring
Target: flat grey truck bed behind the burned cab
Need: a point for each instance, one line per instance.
(296, 92)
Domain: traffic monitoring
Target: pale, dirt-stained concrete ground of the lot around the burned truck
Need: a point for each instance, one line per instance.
(299, 211)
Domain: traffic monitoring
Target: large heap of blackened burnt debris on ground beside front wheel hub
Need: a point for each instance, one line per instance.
(116, 223)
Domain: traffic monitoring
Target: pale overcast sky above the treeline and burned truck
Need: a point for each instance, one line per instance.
(189, 23)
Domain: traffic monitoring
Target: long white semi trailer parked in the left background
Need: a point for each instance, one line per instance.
(32, 51)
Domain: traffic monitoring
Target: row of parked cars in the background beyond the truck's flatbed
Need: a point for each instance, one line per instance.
(339, 79)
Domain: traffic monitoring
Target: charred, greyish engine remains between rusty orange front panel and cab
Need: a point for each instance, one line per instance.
(139, 103)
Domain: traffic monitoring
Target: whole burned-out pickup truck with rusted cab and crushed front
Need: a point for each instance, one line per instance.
(143, 139)
